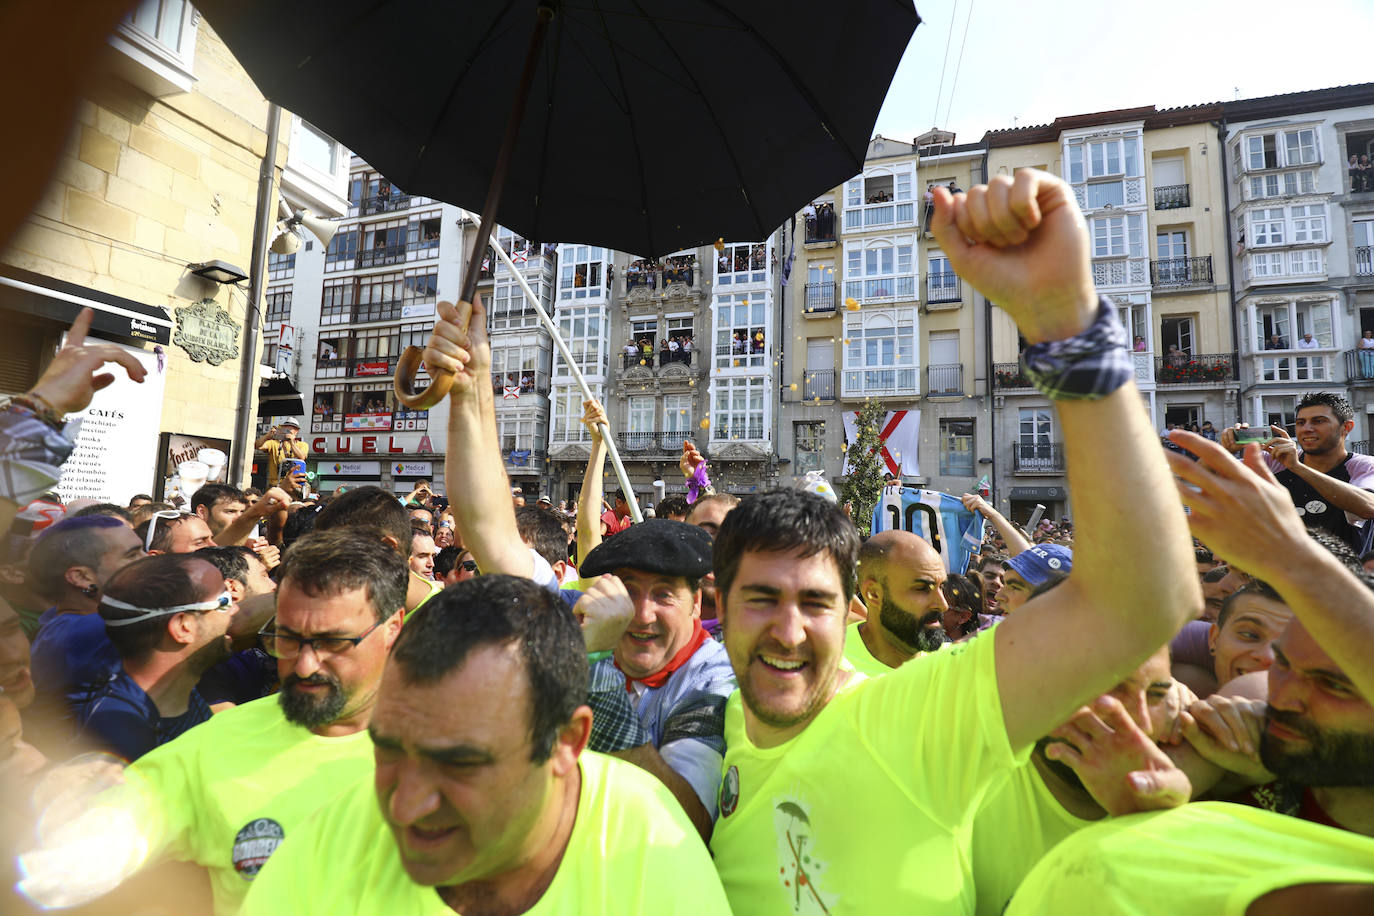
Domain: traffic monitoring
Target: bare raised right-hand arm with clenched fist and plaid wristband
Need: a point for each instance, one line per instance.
(1024, 244)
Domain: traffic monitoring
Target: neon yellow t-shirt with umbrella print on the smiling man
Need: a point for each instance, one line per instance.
(870, 810)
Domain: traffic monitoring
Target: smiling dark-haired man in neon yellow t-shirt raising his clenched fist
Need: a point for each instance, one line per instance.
(857, 796)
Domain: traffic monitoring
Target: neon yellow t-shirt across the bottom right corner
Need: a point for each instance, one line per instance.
(1207, 859)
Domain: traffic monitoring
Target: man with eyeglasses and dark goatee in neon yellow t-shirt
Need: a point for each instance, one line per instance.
(227, 793)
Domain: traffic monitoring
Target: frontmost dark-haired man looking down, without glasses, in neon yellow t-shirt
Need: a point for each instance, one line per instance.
(486, 799)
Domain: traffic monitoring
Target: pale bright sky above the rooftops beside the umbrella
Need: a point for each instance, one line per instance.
(1030, 62)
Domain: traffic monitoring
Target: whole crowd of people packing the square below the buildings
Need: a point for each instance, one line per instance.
(368, 704)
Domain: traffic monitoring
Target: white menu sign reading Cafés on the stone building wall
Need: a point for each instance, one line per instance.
(116, 437)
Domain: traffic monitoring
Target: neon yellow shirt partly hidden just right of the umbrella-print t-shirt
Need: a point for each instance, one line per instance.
(1017, 823)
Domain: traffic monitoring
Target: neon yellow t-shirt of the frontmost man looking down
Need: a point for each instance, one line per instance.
(633, 851)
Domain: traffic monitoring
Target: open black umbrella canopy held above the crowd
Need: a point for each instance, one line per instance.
(653, 126)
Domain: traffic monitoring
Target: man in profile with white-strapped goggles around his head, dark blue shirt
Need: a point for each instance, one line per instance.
(168, 619)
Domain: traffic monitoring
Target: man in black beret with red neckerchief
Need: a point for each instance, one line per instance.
(677, 676)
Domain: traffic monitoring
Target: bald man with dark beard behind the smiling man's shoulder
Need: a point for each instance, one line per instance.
(899, 582)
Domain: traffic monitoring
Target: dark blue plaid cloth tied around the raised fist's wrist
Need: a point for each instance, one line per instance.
(1083, 367)
